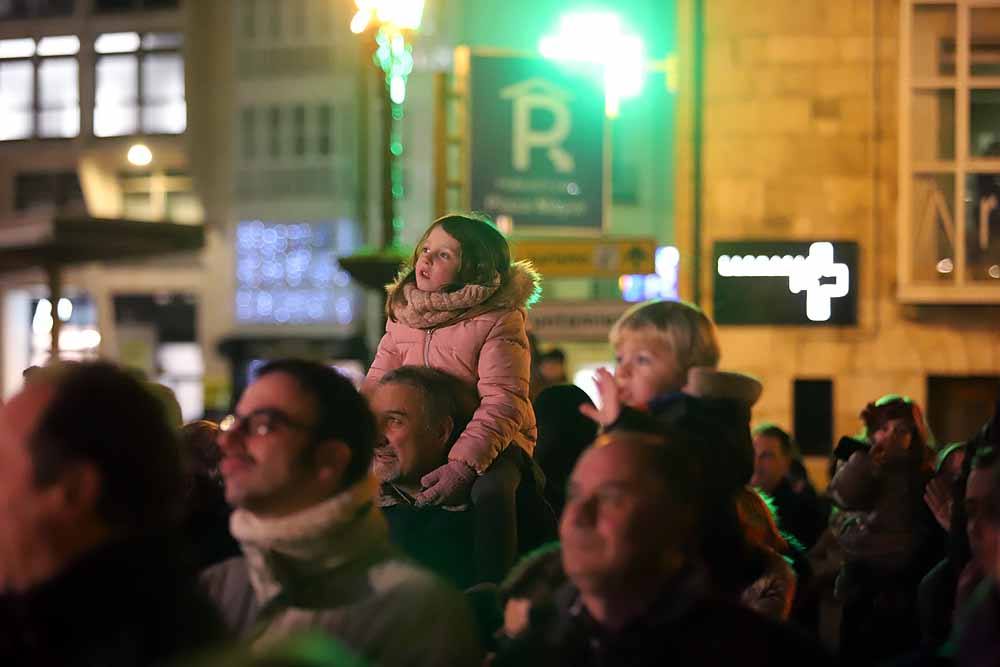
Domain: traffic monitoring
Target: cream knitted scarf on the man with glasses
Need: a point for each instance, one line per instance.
(319, 539)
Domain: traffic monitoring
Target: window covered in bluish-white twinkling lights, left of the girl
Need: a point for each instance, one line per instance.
(287, 273)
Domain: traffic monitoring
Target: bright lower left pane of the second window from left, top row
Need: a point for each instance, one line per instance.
(116, 106)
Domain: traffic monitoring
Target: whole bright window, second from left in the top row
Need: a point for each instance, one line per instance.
(140, 84)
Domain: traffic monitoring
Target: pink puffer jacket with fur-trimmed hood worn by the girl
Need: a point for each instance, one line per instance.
(487, 347)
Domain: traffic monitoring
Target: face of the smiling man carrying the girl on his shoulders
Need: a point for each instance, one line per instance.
(408, 446)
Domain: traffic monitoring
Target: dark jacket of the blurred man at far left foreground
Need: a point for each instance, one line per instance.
(124, 604)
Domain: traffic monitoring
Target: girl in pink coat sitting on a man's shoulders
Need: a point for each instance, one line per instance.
(460, 307)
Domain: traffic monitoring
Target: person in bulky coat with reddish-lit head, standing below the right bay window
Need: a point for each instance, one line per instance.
(885, 531)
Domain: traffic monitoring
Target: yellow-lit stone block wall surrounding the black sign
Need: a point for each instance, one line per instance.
(800, 143)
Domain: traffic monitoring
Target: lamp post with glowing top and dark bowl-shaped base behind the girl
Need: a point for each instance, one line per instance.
(388, 24)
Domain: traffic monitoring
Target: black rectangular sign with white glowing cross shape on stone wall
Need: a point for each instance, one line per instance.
(775, 282)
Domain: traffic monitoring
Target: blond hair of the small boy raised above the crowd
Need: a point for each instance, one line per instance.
(682, 326)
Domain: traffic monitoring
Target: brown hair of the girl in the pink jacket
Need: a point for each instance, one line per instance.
(485, 256)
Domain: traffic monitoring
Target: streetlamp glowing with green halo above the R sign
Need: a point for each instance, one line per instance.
(599, 38)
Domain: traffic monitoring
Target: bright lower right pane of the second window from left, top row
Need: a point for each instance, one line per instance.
(164, 109)
